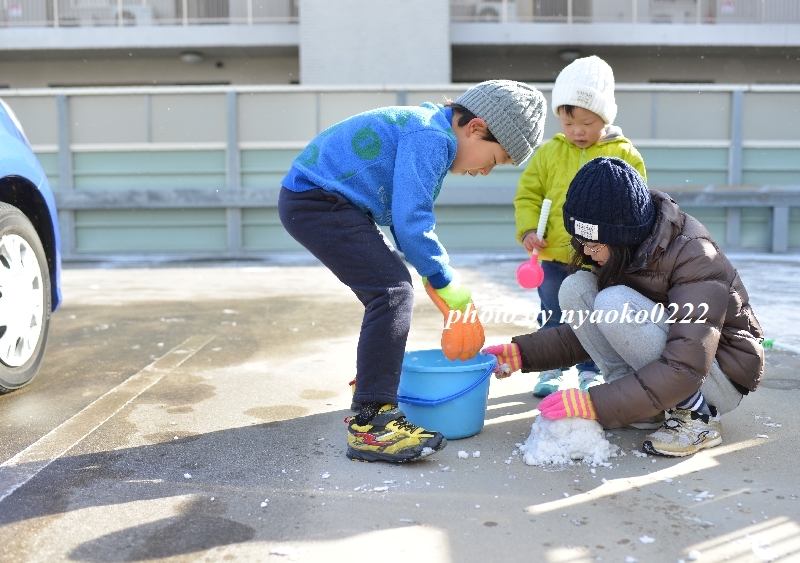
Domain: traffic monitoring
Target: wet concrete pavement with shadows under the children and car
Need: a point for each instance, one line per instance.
(195, 414)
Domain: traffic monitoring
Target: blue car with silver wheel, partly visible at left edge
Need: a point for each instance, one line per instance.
(30, 256)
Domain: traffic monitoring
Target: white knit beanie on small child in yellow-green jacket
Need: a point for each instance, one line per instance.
(589, 84)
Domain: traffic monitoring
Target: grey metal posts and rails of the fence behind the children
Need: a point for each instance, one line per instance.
(235, 198)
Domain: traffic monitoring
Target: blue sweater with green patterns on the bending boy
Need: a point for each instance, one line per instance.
(390, 163)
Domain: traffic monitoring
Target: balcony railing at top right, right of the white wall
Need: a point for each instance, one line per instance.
(627, 11)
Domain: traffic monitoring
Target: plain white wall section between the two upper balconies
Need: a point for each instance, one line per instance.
(374, 42)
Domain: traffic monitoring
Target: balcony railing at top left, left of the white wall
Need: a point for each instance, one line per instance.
(64, 13)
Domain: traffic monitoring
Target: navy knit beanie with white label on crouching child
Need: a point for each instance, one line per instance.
(609, 203)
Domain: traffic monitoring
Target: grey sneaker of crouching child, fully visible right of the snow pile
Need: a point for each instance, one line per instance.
(684, 433)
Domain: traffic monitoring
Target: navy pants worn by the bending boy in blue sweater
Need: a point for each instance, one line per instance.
(351, 245)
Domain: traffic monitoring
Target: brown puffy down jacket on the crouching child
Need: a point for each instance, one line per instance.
(678, 263)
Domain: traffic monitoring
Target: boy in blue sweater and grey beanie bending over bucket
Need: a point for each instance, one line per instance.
(386, 167)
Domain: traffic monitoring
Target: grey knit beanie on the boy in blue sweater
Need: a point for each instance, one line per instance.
(514, 112)
